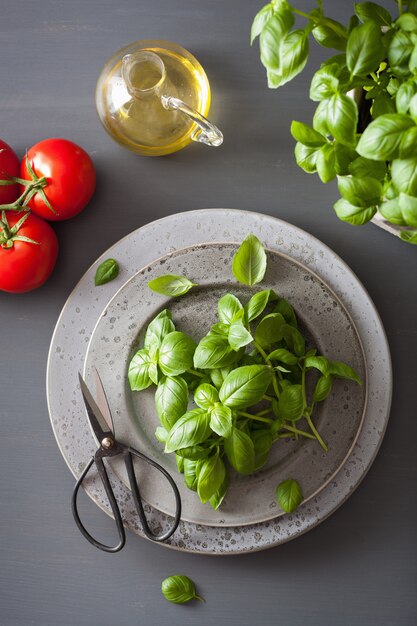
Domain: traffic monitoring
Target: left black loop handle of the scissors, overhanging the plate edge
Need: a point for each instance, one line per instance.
(97, 459)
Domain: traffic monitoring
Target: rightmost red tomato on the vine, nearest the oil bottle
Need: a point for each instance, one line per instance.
(71, 178)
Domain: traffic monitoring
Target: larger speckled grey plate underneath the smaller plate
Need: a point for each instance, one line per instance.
(182, 232)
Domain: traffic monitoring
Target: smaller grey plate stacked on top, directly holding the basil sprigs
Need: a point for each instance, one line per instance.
(120, 330)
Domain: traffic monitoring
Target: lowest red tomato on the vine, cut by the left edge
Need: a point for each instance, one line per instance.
(25, 266)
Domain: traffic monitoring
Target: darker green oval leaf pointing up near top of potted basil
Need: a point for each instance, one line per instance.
(364, 50)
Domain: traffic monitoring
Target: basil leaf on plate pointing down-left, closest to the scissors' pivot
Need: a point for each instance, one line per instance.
(191, 429)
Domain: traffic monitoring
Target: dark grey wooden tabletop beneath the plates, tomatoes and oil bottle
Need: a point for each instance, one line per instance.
(359, 567)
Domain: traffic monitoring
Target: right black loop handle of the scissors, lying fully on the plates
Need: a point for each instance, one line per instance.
(128, 454)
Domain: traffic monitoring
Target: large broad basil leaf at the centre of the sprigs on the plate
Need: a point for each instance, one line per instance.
(245, 386)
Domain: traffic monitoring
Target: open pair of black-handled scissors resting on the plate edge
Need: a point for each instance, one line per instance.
(102, 425)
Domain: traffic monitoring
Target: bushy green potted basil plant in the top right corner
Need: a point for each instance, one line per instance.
(364, 130)
